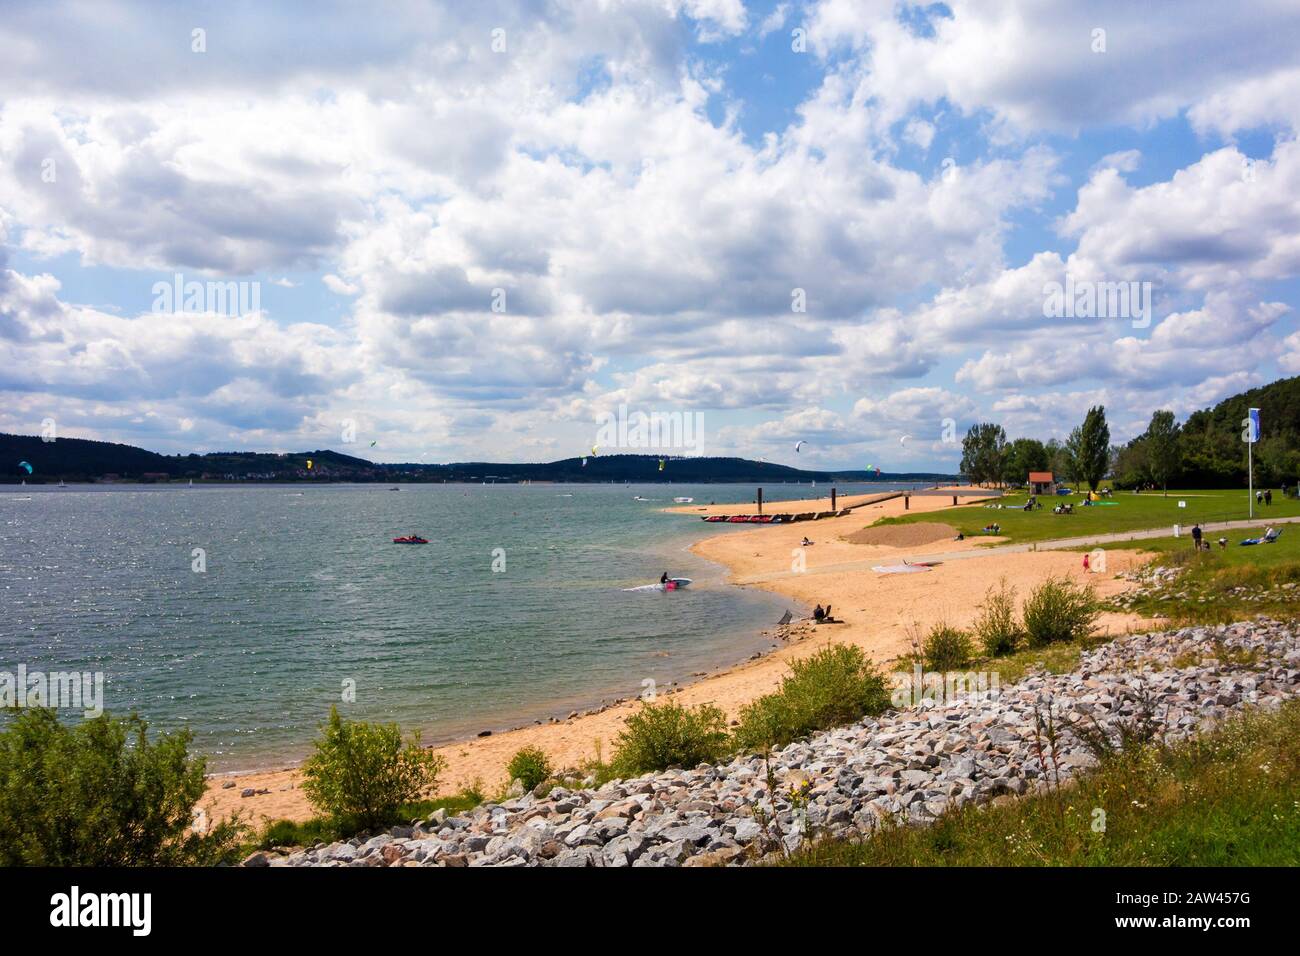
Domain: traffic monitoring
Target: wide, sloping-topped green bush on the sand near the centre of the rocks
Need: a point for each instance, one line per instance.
(835, 686)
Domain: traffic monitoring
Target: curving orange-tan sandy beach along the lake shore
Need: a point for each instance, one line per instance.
(882, 612)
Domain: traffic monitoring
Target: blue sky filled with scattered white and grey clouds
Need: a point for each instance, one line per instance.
(475, 232)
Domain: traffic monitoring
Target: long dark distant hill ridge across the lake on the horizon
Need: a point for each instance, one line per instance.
(79, 460)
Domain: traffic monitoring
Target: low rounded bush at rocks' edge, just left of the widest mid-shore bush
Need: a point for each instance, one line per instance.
(664, 736)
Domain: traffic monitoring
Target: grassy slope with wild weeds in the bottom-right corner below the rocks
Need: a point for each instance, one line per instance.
(1227, 799)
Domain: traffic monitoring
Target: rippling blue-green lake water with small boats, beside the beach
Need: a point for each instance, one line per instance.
(305, 591)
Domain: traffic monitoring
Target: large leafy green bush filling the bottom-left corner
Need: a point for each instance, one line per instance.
(101, 794)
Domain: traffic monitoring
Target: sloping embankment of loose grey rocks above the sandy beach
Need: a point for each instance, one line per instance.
(908, 765)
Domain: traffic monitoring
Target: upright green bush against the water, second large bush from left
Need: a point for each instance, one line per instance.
(362, 773)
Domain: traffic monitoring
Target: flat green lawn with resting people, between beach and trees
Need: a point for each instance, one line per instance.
(1125, 512)
